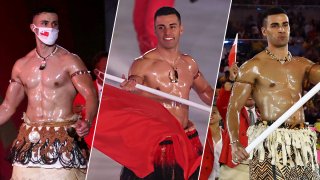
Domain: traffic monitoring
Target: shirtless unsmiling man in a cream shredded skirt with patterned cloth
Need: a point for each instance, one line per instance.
(274, 78)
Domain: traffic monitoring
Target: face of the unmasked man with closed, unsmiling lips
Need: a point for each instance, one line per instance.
(277, 30)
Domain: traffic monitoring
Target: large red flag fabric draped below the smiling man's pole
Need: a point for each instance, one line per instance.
(130, 128)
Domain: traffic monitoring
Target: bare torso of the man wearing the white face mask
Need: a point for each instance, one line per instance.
(50, 91)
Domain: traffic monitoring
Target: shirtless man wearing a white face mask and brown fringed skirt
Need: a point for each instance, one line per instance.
(50, 77)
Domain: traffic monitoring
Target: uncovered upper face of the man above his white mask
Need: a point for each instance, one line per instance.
(48, 20)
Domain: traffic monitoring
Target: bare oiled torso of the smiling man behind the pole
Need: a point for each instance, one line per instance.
(157, 75)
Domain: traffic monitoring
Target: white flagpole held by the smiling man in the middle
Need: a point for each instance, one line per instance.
(162, 94)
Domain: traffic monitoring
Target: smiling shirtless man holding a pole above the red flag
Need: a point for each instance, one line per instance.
(166, 69)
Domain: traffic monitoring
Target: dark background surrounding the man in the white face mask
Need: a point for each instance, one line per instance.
(85, 29)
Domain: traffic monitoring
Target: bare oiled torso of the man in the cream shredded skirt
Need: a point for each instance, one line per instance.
(276, 87)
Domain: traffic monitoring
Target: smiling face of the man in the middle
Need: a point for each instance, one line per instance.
(168, 30)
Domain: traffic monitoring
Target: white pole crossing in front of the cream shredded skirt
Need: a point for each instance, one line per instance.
(283, 118)
